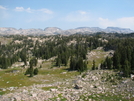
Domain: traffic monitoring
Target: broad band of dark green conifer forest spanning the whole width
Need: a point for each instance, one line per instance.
(69, 50)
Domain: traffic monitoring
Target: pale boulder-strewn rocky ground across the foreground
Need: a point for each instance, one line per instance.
(89, 84)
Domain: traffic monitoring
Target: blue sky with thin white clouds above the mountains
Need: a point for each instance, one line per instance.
(66, 14)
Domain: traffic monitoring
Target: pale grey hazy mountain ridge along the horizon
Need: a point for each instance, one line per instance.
(55, 30)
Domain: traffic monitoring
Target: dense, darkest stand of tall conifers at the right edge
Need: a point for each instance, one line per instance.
(123, 58)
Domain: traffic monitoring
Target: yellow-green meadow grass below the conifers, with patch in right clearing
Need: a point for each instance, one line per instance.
(47, 74)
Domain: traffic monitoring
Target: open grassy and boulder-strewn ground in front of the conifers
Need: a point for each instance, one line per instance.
(59, 84)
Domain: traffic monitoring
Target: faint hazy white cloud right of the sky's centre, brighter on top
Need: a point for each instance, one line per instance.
(78, 16)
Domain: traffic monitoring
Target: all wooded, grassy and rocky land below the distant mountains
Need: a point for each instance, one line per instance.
(74, 67)
